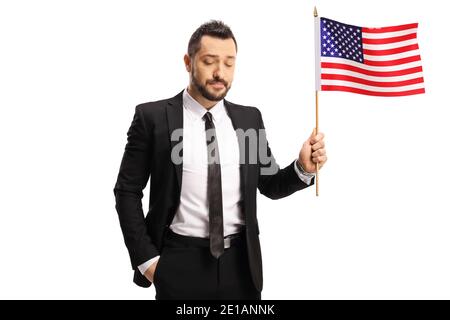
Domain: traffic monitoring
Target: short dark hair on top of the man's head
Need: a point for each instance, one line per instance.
(213, 28)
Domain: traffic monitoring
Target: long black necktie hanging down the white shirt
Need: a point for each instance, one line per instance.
(214, 193)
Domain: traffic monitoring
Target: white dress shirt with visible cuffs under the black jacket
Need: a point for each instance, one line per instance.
(191, 217)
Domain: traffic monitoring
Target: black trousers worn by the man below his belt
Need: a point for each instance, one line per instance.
(186, 270)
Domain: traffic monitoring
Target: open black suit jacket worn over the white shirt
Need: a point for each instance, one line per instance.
(148, 154)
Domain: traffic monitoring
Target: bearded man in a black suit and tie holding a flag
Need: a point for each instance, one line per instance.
(205, 157)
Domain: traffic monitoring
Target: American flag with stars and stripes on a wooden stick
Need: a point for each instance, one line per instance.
(371, 61)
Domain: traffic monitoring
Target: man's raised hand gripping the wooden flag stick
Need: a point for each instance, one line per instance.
(312, 152)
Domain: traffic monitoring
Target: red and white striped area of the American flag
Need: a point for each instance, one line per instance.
(392, 65)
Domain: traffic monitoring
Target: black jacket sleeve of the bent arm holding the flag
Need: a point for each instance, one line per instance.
(274, 182)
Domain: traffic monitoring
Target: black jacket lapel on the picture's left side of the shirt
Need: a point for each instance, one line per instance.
(175, 121)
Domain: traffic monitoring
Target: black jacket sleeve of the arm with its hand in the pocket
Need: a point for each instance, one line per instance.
(132, 178)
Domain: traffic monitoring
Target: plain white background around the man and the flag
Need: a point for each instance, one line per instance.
(71, 73)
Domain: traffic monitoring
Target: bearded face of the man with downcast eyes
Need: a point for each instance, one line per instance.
(212, 68)
